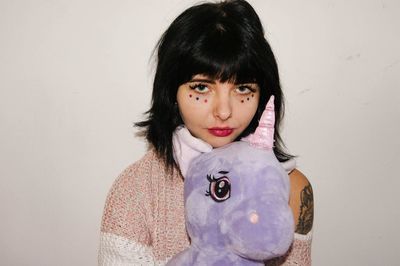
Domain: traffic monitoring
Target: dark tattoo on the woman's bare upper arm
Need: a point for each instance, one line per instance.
(306, 216)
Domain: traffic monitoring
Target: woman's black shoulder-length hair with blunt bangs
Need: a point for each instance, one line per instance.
(224, 41)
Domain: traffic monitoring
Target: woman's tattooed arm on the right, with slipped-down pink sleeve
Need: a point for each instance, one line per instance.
(302, 205)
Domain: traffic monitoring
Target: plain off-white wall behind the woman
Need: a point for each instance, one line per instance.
(75, 75)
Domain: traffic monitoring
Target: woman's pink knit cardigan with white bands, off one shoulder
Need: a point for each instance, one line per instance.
(143, 221)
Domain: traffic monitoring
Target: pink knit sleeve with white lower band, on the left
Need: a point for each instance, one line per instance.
(125, 236)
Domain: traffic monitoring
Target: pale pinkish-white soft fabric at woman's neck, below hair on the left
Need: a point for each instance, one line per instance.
(186, 148)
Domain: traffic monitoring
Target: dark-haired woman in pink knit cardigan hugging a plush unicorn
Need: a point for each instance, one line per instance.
(215, 72)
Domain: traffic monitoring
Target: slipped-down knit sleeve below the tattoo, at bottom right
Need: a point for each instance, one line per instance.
(298, 254)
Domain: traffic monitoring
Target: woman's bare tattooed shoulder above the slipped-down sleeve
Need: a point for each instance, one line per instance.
(301, 201)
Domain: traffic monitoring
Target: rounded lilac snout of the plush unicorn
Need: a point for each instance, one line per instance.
(271, 218)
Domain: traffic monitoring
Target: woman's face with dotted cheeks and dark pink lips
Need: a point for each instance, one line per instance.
(217, 112)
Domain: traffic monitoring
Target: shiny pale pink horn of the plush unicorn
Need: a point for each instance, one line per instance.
(263, 137)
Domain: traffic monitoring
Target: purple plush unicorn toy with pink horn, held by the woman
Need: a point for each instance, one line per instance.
(236, 202)
